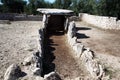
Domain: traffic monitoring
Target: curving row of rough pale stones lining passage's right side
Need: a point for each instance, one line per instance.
(85, 55)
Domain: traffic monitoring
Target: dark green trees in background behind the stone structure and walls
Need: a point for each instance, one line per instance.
(95, 7)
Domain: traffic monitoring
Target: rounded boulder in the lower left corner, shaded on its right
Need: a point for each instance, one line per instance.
(13, 72)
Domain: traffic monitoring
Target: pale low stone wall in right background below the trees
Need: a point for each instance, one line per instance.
(101, 21)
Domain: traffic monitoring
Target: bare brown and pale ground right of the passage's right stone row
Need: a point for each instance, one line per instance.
(105, 44)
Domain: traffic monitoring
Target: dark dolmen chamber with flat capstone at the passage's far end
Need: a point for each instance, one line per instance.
(55, 19)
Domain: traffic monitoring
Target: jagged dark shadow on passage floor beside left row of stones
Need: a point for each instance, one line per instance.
(49, 48)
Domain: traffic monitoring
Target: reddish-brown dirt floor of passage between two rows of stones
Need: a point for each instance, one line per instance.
(60, 59)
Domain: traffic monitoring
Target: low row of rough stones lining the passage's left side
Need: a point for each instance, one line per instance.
(31, 65)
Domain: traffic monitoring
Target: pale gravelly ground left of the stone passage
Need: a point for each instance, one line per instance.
(17, 40)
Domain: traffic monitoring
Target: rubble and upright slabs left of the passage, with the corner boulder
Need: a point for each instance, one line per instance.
(32, 64)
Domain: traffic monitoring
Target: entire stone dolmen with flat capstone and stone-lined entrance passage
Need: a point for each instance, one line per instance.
(58, 56)
